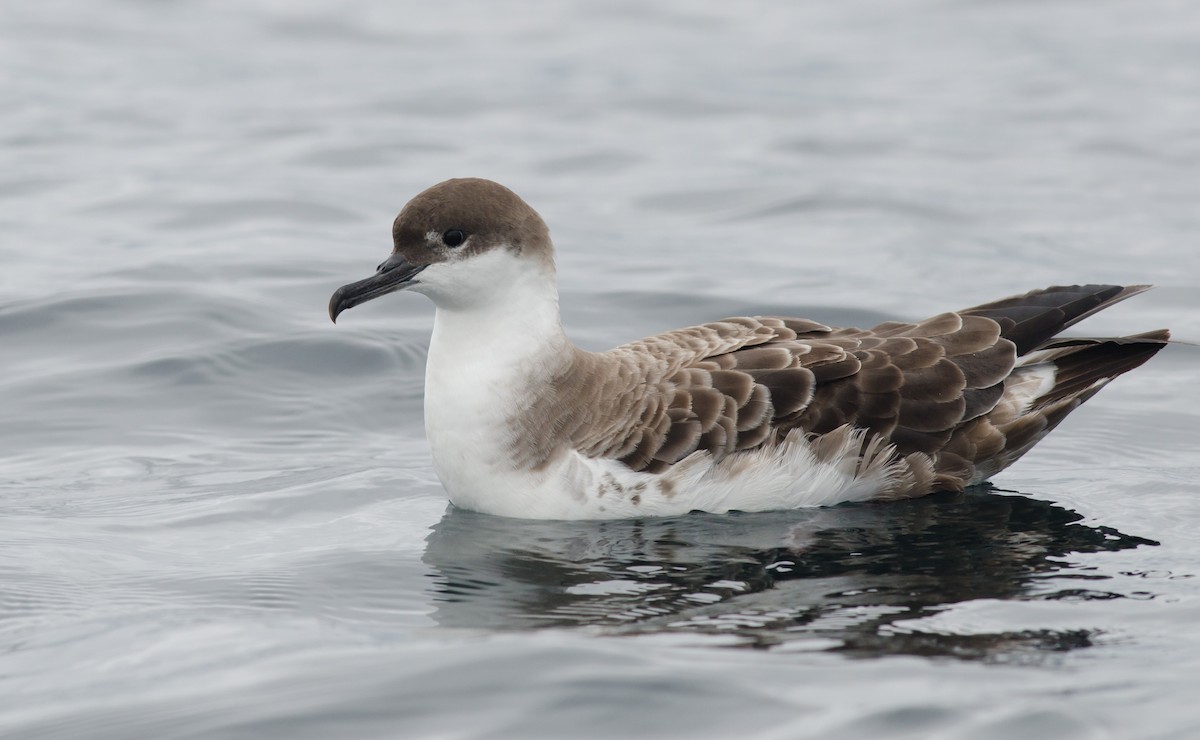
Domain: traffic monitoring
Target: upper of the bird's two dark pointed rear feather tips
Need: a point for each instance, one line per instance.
(1035, 318)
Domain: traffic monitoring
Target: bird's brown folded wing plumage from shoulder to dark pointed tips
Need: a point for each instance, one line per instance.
(928, 389)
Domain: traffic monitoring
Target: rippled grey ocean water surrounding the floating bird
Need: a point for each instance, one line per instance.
(218, 513)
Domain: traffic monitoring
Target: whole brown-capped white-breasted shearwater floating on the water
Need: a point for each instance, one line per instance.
(748, 413)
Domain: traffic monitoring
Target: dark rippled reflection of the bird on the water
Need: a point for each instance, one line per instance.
(843, 579)
